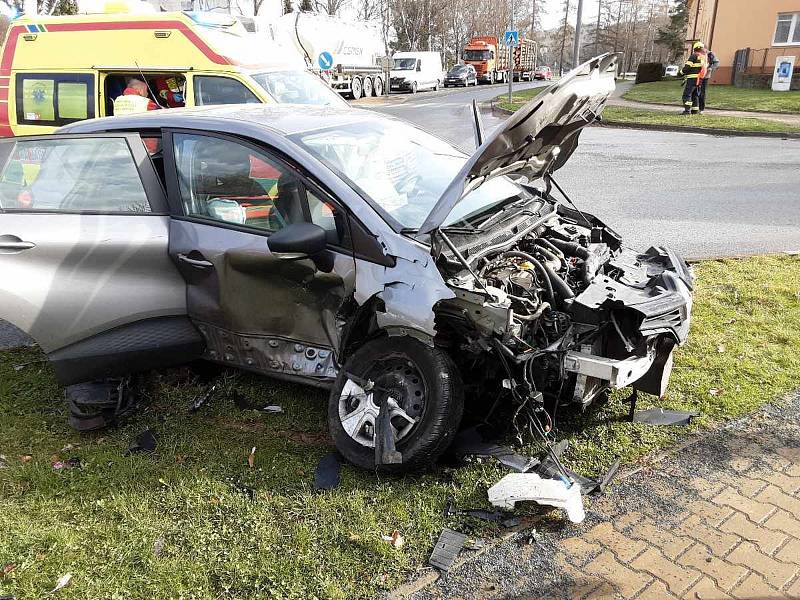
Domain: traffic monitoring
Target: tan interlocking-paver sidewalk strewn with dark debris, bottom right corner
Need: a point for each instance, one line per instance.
(719, 518)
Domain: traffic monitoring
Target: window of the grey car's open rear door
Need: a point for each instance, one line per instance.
(71, 175)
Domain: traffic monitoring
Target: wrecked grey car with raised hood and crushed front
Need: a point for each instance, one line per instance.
(339, 248)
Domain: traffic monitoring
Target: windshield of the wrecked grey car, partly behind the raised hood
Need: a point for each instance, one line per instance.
(403, 170)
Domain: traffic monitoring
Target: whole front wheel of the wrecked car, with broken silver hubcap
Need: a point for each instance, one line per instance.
(427, 389)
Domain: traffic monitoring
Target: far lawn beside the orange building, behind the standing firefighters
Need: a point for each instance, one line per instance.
(719, 96)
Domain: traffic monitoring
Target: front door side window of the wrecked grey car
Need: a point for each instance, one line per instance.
(229, 182)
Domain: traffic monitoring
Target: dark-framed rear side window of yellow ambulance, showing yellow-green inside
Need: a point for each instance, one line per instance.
(50, 99)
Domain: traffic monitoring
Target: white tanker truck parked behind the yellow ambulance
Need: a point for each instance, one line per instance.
(347, 54)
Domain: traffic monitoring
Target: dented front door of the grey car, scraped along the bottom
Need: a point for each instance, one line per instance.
(256, 310)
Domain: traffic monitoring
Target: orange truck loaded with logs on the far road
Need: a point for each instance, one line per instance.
(490, 59)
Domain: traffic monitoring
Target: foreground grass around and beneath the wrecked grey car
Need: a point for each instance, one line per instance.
(194, 520)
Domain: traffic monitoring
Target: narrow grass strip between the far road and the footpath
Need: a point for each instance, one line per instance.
(623, 114)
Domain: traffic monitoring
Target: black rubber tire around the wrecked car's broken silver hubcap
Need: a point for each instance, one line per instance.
(440, 415)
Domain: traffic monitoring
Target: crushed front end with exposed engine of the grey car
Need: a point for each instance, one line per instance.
(551, 308)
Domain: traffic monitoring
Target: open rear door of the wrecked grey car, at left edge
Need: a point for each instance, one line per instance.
(84, 267)
